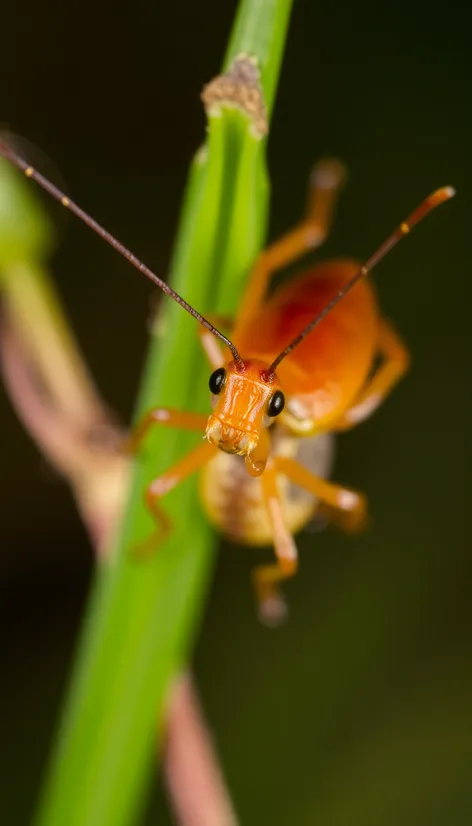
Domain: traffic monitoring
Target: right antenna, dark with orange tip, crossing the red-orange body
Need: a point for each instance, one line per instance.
(430, 203)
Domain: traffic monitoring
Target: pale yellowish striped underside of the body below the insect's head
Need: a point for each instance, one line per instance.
(233, 502)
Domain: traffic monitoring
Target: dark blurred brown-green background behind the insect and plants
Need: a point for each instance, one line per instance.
(359, 710)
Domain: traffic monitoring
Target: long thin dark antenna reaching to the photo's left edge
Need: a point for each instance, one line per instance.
(66, 202)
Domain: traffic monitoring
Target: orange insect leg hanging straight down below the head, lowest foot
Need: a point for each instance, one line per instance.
(266, 578)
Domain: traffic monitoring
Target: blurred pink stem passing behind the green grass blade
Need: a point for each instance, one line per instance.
(86, 455)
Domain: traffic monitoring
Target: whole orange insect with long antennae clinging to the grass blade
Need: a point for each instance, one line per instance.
(299, 370)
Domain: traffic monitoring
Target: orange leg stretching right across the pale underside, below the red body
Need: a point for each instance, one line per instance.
(350, 505)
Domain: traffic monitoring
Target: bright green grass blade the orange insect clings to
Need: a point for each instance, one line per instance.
(143, 616)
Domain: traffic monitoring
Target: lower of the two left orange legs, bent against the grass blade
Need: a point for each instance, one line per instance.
(189, 464)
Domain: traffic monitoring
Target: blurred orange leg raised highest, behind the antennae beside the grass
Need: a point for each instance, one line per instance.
(325, 182)
